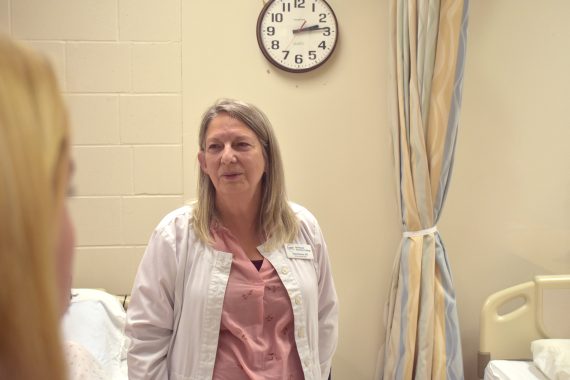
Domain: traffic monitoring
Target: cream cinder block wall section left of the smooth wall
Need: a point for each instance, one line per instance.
(119, 65)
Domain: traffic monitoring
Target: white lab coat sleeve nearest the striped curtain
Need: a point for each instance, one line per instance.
(328, 305)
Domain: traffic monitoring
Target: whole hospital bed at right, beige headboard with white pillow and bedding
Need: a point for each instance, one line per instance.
(517, 334)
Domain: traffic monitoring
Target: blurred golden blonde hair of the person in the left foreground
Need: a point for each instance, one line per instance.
(34, 159)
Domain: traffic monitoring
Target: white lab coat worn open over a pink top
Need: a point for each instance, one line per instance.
(173, 319)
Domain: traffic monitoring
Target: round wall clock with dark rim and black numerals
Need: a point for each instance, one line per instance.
(297, 35)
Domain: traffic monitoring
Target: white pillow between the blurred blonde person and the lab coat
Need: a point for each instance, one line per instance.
(96, 321)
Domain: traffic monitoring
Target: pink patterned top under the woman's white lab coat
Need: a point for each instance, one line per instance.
(256, 339)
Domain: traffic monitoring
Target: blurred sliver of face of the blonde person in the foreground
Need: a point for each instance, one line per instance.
(64, 251)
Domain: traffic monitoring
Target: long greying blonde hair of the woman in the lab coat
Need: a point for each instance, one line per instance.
(276, 220)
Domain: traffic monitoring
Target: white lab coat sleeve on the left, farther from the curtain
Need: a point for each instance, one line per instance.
(150, 313)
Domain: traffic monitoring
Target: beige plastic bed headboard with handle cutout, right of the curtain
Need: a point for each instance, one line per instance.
(508, 335)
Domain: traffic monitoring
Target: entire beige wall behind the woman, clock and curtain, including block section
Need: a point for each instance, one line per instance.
(507, 213)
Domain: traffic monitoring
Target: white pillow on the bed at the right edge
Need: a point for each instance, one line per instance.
(552, 357)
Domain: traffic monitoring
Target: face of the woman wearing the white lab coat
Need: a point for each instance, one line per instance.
(232, 158)
